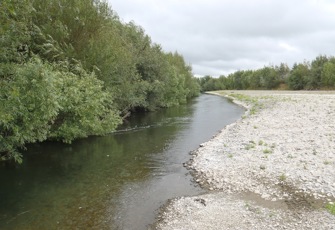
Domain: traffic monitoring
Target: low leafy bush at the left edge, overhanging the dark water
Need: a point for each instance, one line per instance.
(28, 104)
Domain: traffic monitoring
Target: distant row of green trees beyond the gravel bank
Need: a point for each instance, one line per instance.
(318, 74)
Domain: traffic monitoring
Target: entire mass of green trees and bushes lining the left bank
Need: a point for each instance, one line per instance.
(69, 69)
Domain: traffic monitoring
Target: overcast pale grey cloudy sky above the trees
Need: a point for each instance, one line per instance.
(218, 37)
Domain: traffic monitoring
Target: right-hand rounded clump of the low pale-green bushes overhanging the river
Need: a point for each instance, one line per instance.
(86, 109)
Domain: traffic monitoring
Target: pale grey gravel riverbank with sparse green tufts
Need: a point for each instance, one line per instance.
(272, 169)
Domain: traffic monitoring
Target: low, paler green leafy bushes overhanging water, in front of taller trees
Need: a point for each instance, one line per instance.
(40, 102)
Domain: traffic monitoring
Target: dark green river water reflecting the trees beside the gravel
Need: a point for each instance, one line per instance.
(114, 182)
